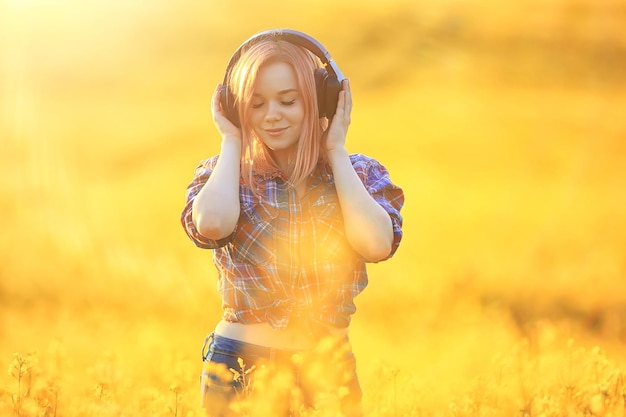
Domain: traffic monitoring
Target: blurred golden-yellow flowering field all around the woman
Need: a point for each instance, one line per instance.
(503, 121)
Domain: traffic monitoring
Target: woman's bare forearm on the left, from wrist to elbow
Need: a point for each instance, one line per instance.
(215, 210)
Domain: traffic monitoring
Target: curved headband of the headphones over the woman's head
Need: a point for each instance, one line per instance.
(292, 36)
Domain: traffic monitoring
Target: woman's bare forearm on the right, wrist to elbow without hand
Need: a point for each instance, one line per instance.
(367, 225)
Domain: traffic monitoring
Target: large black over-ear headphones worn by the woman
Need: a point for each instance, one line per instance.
(327, 79)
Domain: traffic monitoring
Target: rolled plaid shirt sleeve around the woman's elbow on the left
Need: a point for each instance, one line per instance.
(201, 175)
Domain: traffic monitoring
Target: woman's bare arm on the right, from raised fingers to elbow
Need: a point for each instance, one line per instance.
(368, 227)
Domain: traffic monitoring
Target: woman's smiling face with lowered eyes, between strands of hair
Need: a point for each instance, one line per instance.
(276, 112)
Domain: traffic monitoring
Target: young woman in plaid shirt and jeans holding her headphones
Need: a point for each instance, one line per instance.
(292, 218)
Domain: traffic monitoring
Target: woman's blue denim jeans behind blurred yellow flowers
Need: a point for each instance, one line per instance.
(242, 379)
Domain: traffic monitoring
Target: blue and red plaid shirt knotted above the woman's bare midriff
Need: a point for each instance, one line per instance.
(288, 257)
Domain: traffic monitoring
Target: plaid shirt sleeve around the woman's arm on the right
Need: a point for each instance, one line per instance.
(378, 183)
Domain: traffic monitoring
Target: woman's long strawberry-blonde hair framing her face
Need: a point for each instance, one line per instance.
(255, 156)
